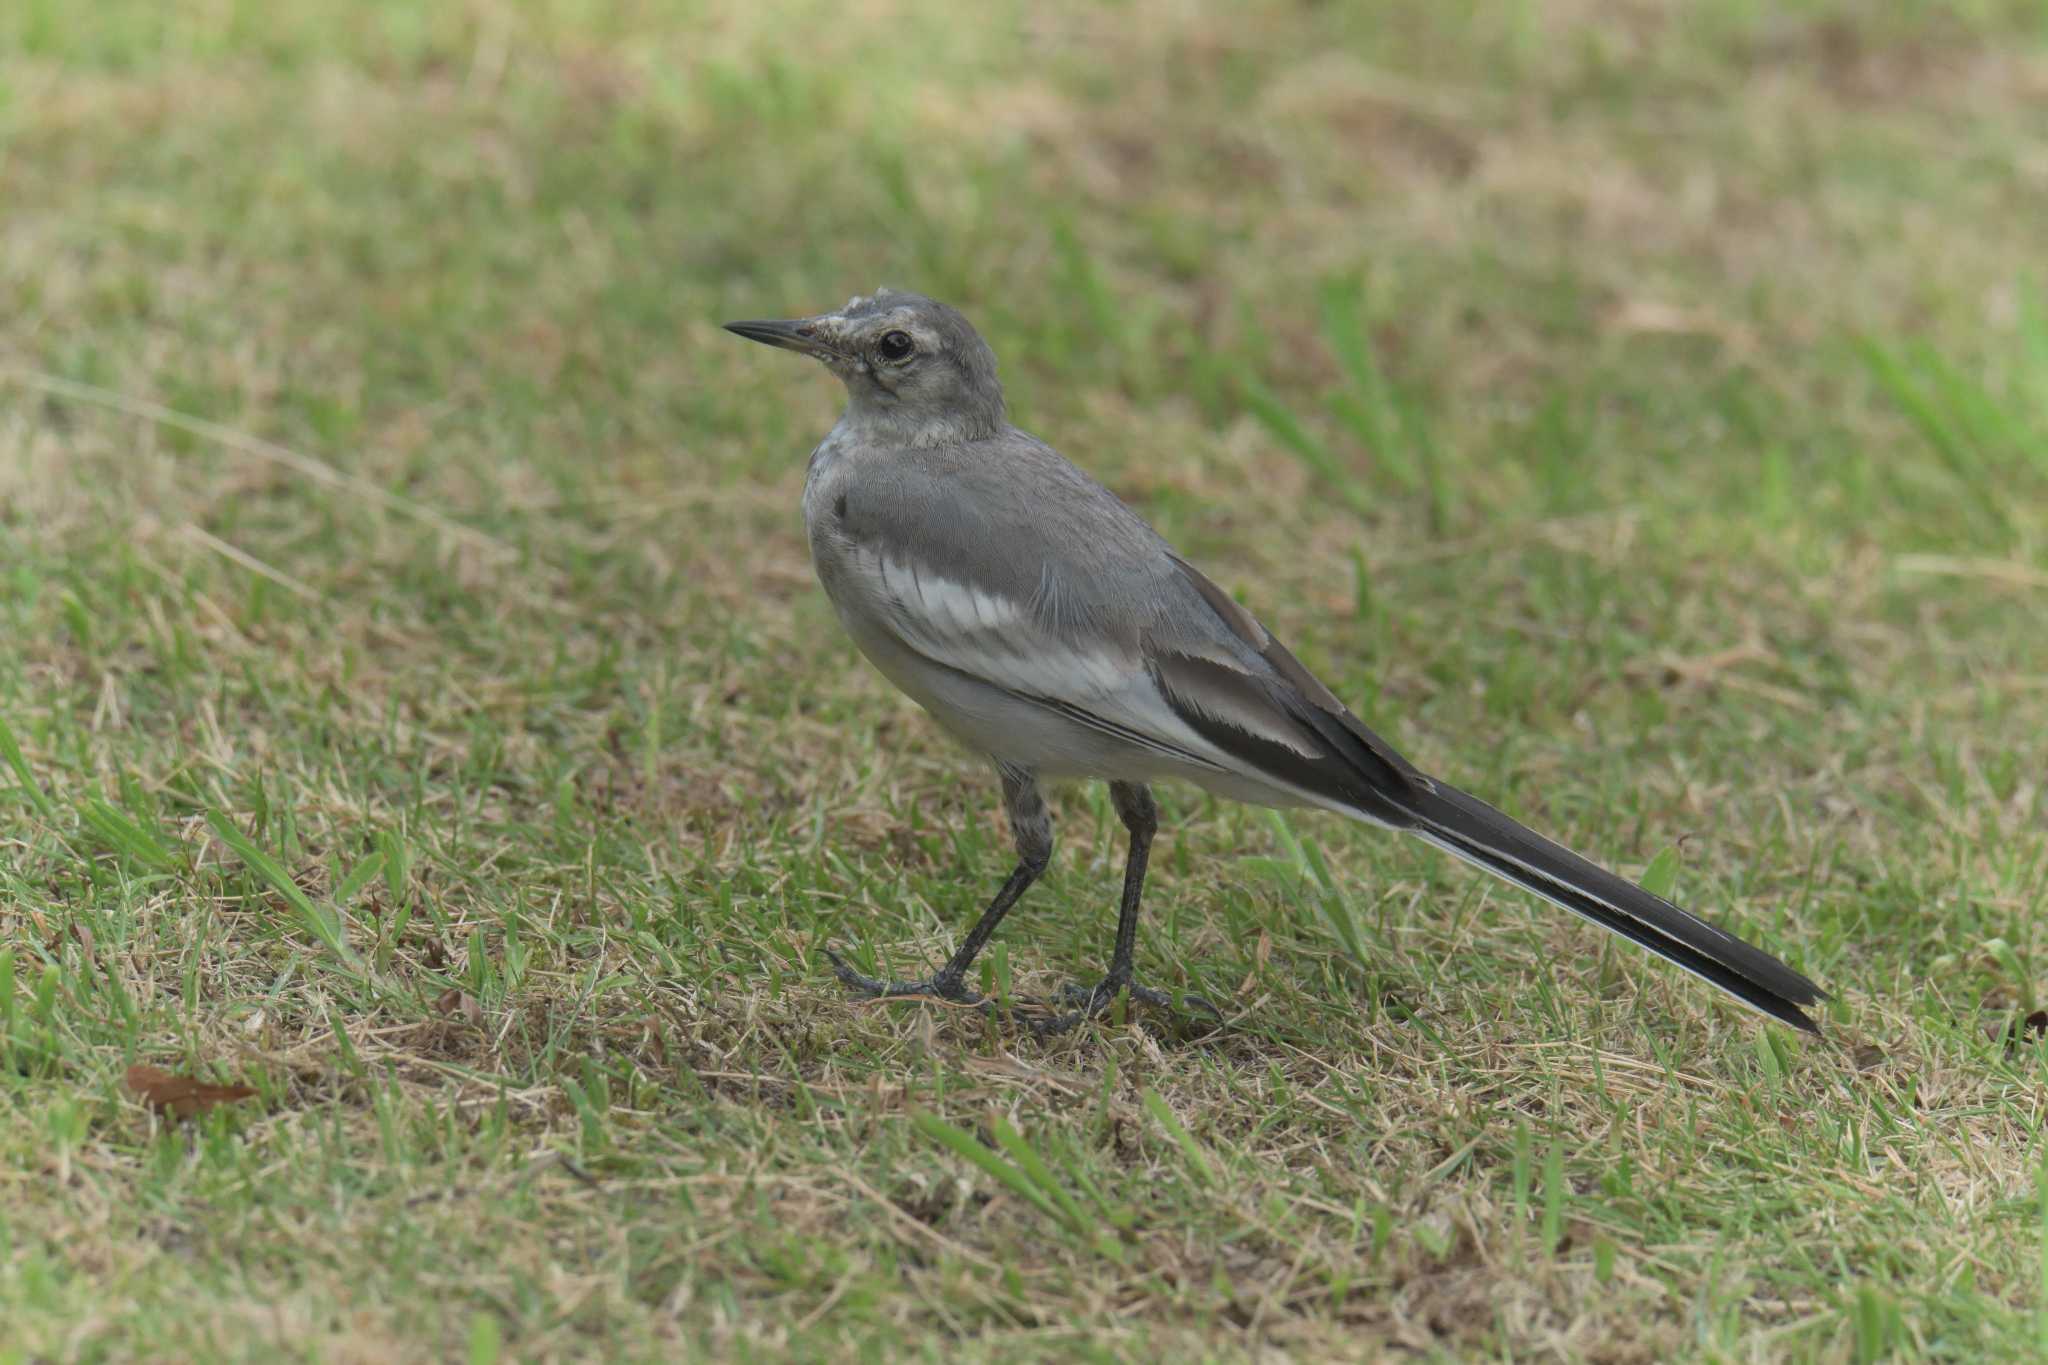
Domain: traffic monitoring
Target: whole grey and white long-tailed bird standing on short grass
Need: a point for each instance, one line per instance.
(1052, 629)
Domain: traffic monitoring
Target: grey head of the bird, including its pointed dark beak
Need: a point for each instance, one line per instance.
(914, 369)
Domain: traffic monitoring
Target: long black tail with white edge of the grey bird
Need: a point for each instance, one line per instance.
(1486, 838)
